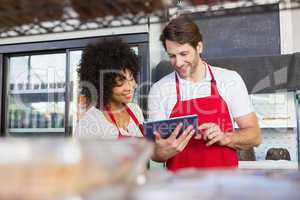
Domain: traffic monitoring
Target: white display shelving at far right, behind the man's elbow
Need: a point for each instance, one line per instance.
(277, 113)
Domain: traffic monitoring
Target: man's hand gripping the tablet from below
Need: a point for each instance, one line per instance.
(169, 147)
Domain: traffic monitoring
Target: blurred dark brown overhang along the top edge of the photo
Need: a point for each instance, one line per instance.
(30, 17)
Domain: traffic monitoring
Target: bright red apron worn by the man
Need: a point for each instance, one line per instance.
(211, 109)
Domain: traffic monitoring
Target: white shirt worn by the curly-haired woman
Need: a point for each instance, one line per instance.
(94, 123)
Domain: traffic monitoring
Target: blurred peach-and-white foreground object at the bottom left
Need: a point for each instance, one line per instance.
(54, 168)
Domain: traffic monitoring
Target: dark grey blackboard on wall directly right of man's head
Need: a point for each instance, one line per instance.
(234, 34)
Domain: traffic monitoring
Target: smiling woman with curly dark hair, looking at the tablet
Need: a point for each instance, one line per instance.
(108, 76)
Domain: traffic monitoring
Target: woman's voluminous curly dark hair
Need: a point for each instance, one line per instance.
(106, 59)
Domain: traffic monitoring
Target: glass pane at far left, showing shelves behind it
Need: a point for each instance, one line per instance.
(36, 94)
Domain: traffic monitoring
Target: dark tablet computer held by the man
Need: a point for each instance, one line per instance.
(166, 127)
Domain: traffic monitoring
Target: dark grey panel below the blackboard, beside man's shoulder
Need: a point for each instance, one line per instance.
(264, 74)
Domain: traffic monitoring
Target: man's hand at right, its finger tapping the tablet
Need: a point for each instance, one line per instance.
(212, 133)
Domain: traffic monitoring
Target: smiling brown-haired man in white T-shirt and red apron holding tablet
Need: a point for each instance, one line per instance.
(218, 96)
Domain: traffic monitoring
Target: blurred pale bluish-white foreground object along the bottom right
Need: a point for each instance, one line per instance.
(222, 184)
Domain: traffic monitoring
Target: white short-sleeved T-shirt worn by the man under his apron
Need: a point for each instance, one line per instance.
(162, 96)
